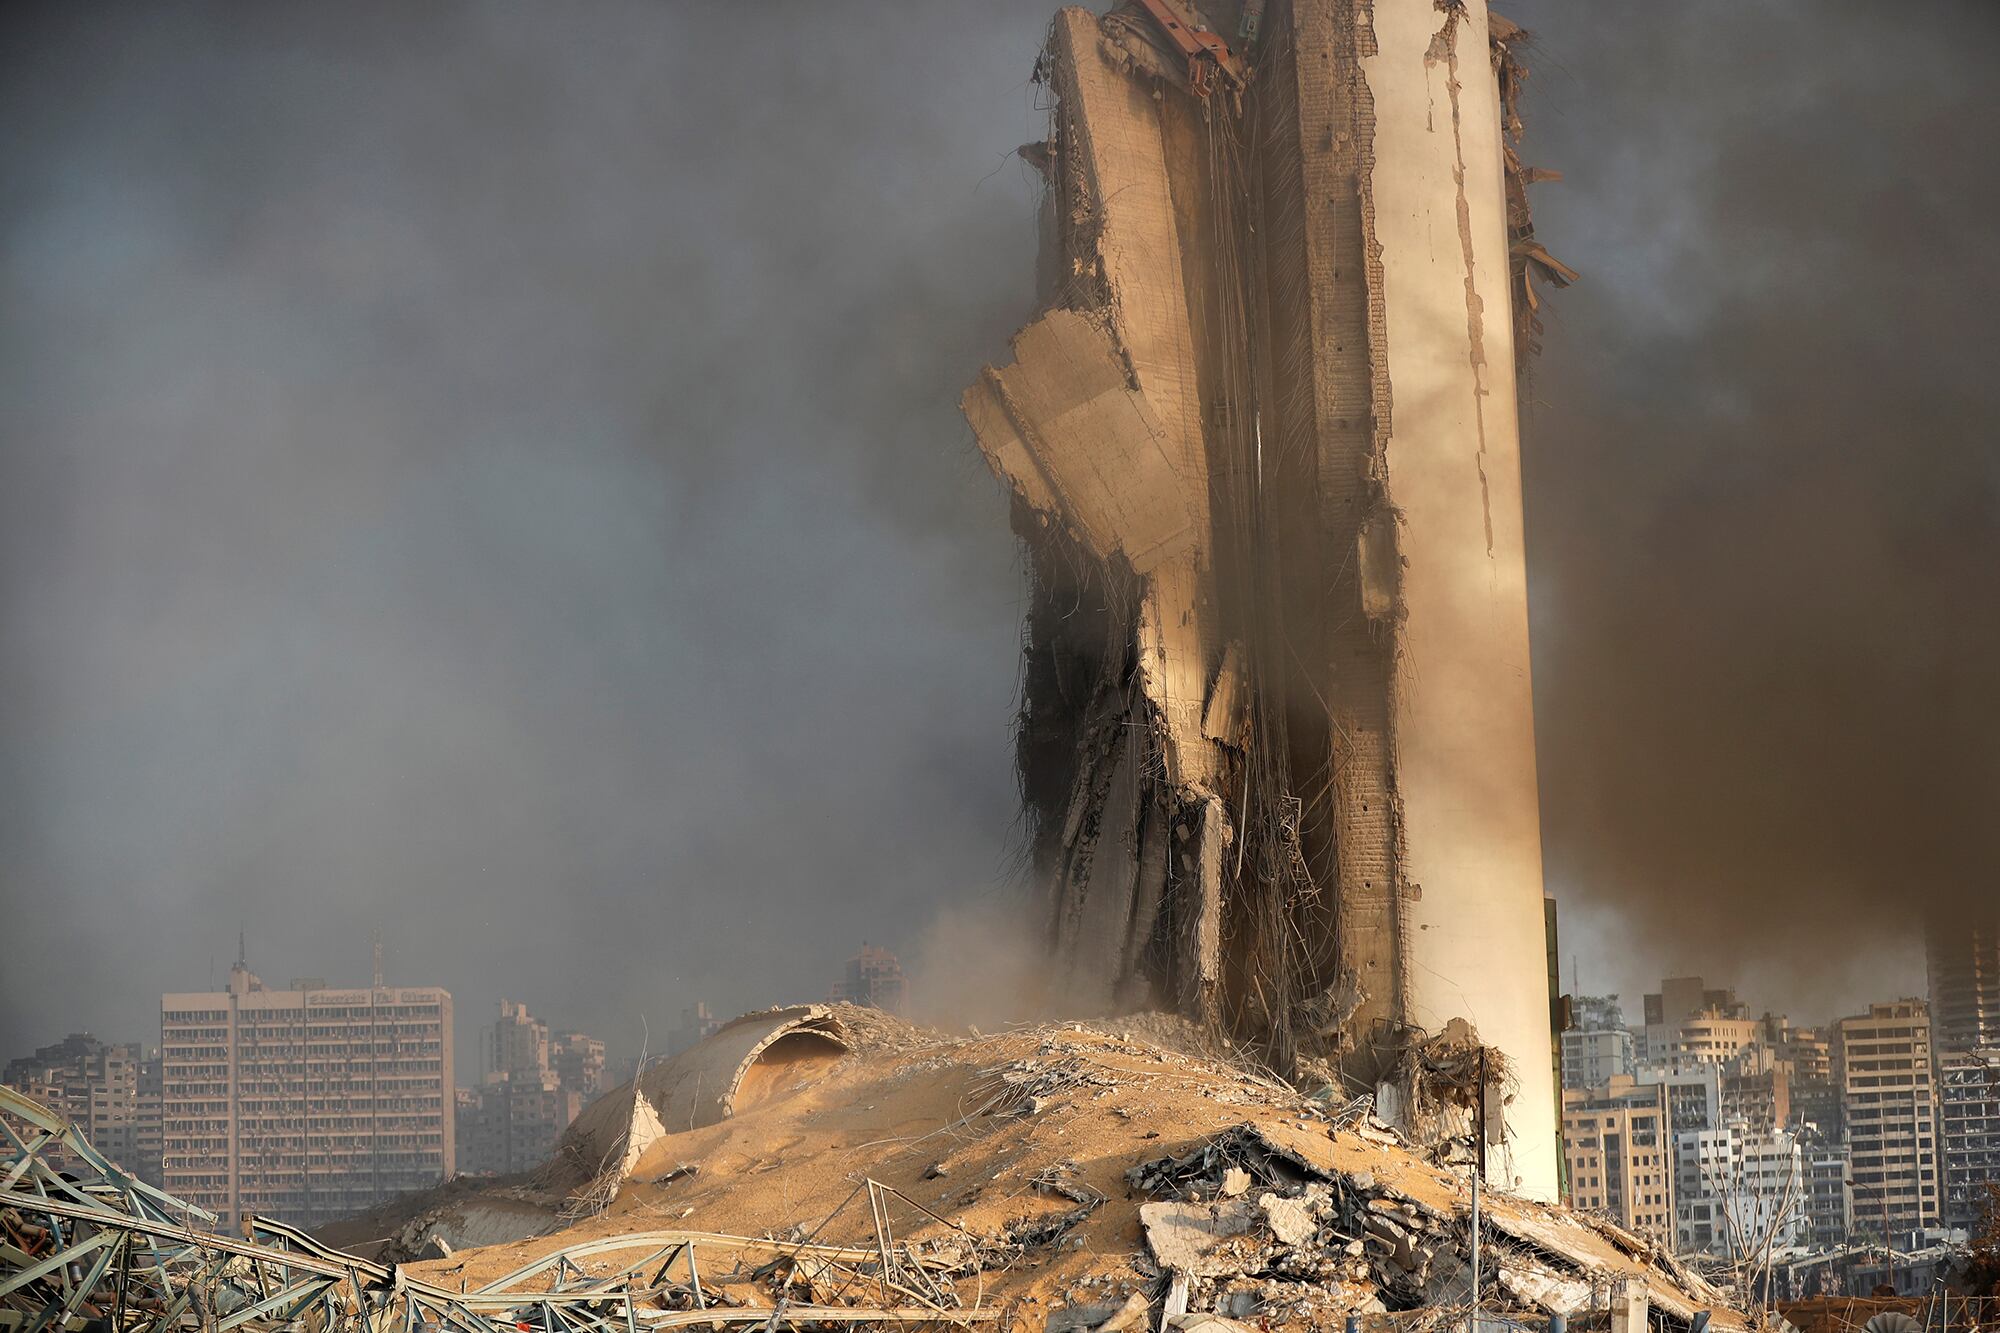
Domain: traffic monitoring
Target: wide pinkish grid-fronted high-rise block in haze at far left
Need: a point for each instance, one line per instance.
(307, 1104)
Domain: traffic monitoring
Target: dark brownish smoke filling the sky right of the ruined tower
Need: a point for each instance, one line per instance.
(1765, 481)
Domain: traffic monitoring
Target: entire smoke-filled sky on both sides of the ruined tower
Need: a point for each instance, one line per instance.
(491, 475)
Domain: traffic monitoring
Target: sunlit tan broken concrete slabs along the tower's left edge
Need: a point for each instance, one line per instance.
(1093, 429)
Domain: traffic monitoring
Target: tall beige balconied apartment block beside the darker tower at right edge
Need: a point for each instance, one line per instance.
(1889, 1106)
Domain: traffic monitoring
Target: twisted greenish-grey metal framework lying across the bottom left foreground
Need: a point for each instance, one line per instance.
(97, 1250)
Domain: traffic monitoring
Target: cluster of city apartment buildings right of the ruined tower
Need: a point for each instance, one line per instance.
(1741, 1134)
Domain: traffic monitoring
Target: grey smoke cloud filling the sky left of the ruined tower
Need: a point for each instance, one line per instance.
(491, 475)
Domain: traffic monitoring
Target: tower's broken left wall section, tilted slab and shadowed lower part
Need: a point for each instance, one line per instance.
(1097, 427)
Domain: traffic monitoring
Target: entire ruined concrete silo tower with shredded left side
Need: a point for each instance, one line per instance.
(1277, 736)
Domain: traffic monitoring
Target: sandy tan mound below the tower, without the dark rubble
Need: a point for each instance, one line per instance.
(937, 1120)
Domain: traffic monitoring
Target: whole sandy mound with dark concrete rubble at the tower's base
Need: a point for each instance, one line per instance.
(1085, 1178)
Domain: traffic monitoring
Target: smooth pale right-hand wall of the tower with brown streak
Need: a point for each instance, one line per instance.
(1463, 696)
